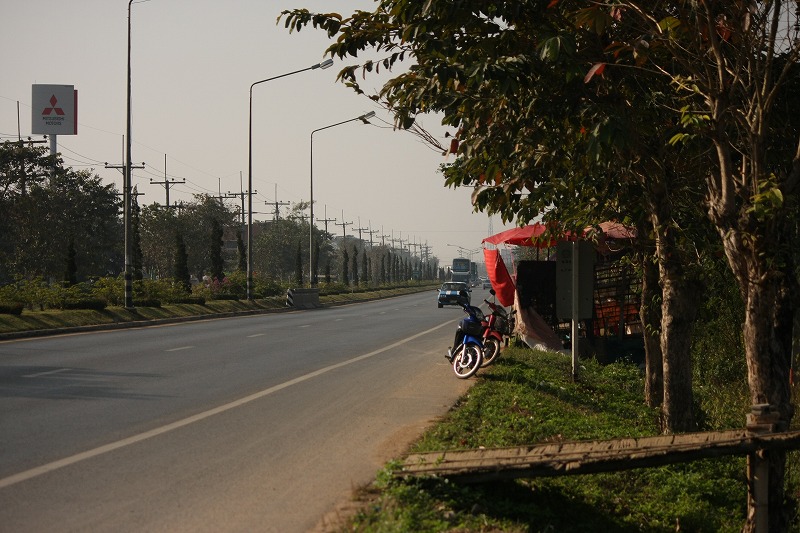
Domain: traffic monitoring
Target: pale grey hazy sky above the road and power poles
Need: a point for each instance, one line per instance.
(192, 66)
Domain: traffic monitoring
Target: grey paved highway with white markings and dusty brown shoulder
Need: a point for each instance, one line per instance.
(248, 424)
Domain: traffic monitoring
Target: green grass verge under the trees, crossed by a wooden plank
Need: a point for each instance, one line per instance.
(529, 397)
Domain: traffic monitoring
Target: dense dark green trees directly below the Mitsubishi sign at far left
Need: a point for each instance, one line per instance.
(40, 204)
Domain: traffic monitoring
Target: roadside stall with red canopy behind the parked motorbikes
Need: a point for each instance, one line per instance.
(614, 329)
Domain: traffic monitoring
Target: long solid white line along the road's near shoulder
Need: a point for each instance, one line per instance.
(134, 439)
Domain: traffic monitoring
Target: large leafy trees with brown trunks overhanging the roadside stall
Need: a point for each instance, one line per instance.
(660, 112)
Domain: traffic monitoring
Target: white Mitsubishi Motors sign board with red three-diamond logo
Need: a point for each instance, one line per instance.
(54, 110)
